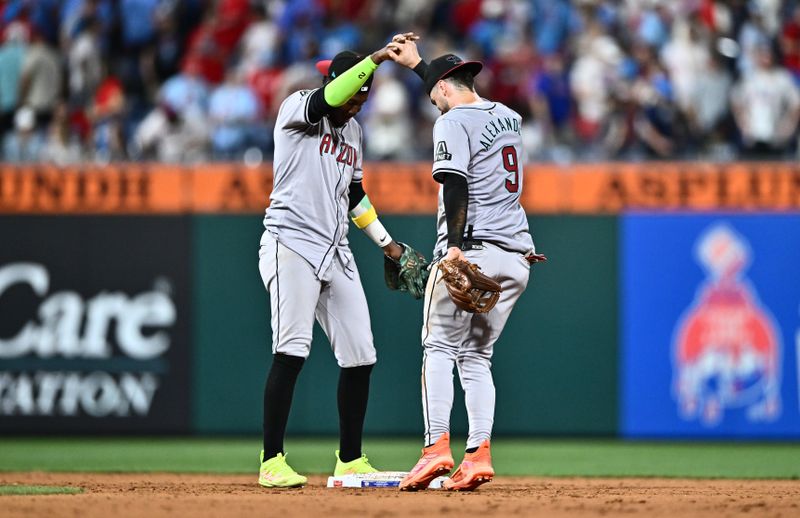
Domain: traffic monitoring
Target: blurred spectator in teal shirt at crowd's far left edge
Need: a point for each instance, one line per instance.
(12, 54)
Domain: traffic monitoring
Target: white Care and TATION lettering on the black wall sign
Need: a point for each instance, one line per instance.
(68, 326)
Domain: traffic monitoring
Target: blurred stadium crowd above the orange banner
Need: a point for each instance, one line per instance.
(194, 80)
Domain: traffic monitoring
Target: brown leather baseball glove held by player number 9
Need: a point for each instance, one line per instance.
(469, 288)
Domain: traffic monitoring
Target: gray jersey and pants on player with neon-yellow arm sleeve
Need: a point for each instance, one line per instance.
(304, 258)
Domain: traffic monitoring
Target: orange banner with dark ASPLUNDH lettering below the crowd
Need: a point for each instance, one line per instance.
(401, 188)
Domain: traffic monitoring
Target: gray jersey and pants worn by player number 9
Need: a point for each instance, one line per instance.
(482, 143)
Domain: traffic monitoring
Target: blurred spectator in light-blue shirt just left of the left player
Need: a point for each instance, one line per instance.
(233, 111)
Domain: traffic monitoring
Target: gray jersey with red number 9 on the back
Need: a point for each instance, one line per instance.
(482, 142)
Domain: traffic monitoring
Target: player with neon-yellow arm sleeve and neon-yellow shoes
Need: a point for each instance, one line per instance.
(305, 259)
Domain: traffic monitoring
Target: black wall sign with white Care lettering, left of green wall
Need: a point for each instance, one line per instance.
(94, 337)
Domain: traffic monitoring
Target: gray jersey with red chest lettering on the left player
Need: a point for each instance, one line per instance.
(313, 167)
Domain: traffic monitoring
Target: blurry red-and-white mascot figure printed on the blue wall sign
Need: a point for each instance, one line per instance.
(727, 346)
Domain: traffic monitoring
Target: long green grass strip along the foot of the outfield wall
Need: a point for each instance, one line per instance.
(542, 457)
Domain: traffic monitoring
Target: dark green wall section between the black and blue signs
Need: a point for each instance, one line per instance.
(555, 365)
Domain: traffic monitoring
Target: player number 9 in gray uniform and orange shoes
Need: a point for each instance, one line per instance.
(478, 161)
